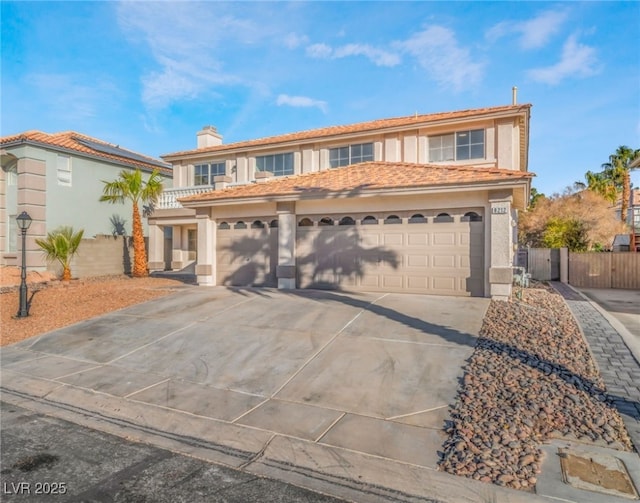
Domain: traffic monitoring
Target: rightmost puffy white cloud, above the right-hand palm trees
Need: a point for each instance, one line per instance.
(577, 61)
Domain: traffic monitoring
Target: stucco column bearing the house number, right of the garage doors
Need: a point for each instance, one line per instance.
(501, 270)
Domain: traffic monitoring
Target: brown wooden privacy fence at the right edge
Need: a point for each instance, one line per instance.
(605, 270)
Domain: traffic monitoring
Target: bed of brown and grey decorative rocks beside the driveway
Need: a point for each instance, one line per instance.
(530, 378)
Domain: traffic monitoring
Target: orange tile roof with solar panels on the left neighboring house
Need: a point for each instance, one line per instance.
(83, 144)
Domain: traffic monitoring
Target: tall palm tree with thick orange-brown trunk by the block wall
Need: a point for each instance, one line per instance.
(130, 186)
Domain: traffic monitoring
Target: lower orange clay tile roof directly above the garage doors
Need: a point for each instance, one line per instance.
(366, 176)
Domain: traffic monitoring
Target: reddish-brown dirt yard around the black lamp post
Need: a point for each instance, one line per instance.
(56, 304)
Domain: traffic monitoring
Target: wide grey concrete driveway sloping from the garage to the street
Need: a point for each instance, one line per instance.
(333, 391)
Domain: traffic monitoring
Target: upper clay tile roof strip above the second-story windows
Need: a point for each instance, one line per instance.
(381, 124)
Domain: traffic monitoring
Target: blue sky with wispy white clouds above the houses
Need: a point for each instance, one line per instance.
(149, 75)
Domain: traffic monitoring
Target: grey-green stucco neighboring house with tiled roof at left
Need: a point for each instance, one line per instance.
(57, 179)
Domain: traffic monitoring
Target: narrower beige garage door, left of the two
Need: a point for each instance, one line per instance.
(247, 252)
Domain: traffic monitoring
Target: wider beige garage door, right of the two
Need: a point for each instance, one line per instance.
(419, 252)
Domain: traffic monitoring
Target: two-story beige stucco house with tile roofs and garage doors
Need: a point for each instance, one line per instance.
(425, 203)
